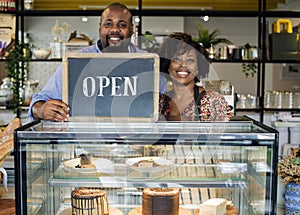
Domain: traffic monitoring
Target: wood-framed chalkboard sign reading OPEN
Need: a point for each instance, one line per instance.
(111, 86)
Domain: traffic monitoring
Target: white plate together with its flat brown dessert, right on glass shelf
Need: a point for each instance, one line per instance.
(159, 164)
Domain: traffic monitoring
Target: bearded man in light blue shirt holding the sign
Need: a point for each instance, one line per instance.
(115, 29)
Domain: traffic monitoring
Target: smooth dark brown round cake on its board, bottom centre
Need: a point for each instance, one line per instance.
(160, 201)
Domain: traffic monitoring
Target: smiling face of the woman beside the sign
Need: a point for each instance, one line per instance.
(183, 67)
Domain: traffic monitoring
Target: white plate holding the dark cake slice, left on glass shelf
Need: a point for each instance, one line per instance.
(75, 162)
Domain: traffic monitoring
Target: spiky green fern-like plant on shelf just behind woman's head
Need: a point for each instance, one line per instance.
(208, 39)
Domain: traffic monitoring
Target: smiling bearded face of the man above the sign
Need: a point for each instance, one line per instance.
(115, 26)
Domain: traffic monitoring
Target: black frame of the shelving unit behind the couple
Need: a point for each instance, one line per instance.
(261, 14)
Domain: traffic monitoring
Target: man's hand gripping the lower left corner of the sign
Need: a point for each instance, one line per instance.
(54, 110)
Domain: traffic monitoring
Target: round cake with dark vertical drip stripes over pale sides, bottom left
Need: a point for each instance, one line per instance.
(86, 201)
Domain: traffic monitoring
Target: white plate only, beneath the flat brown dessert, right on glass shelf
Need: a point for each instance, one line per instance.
(162, 162)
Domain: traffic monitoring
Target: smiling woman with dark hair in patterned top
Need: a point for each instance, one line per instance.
(183, 61)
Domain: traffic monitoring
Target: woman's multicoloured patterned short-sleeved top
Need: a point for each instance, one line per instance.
(212, 107)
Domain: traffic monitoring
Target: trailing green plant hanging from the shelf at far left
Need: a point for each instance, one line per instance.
(17, 65)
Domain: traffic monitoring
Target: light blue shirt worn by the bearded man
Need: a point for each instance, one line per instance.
(53, 87)
